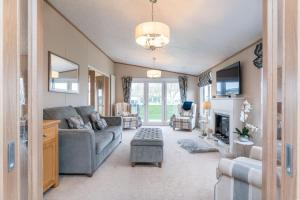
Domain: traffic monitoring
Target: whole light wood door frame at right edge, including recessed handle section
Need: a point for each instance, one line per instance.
(288, 11)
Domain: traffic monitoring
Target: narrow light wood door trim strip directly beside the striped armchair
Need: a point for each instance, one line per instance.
(269, 98)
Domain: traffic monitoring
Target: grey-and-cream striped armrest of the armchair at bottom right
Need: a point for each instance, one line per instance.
(240, 171)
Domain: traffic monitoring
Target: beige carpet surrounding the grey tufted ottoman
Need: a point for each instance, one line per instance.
(183, 176)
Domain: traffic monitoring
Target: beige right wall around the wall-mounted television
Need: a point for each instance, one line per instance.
(251, 83)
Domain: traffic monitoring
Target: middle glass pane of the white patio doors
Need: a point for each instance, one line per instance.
(155, 103)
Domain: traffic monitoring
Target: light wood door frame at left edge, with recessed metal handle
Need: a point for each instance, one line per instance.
(9, 101)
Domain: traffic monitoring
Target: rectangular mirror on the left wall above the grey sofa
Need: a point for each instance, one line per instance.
(63, 74)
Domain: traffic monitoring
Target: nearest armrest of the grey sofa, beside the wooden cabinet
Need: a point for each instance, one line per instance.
(77, 151)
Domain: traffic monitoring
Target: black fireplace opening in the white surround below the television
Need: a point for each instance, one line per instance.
(222, 127)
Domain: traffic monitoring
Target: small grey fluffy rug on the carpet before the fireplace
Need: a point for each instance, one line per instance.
(196, 145)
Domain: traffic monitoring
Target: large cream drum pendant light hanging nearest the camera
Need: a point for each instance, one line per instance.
(152, 35)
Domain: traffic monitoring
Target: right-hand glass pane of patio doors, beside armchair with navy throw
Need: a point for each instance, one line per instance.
(173, 99)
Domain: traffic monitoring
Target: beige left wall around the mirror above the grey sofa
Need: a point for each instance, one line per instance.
(63, 39)
